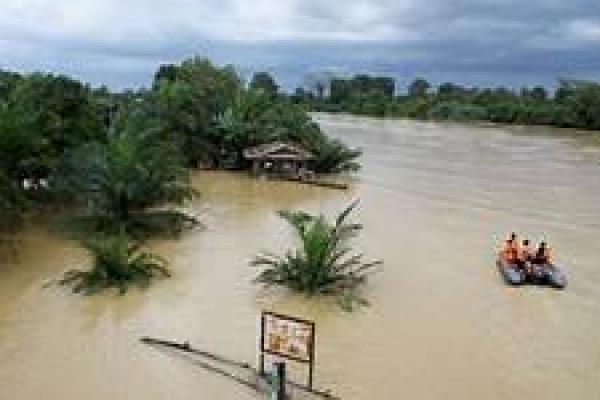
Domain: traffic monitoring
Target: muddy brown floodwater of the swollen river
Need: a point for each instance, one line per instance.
(435, 201)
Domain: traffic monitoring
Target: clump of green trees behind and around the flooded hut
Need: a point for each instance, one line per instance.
(212, 117)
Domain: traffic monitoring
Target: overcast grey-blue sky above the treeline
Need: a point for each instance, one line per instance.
(121, 42)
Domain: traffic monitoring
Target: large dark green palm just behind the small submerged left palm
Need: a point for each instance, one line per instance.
(127, 181)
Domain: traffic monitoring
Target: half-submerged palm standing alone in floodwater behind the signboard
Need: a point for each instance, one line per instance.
(323, 264)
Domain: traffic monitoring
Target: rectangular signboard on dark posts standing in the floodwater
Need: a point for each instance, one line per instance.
(288, 337)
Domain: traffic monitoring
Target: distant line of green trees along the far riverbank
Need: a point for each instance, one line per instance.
(574, 104)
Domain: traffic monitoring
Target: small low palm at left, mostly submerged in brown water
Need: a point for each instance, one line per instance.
(117, 263)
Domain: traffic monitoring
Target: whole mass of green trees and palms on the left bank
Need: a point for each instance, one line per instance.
(119, 162)
